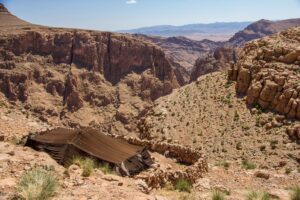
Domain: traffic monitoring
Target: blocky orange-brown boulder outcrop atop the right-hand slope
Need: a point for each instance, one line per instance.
(268, 73)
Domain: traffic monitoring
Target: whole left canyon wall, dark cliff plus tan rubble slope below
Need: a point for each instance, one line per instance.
(68, 77)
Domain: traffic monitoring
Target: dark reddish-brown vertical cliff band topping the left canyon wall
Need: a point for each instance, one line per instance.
(112, 55)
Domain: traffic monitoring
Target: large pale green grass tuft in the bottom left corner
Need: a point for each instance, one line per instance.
(37, 184)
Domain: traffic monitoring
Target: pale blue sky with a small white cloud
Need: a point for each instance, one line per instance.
(112, 15)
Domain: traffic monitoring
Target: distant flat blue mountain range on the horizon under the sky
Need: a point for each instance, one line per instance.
(219, 31)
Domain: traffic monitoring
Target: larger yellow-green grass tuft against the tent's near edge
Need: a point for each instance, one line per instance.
(86, 164)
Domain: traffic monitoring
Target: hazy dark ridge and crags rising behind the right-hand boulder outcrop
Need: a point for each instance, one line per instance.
(229, 50)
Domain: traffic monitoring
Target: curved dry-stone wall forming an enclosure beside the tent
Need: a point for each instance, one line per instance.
(158, 177)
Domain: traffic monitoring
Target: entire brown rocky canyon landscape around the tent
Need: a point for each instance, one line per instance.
(222, 115)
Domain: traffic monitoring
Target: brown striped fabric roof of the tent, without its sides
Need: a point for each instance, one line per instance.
(92, 142)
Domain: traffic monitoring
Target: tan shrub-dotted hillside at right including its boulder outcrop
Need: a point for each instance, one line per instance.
(213, 114)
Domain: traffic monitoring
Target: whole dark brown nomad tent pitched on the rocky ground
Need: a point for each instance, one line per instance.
(64, 144)
